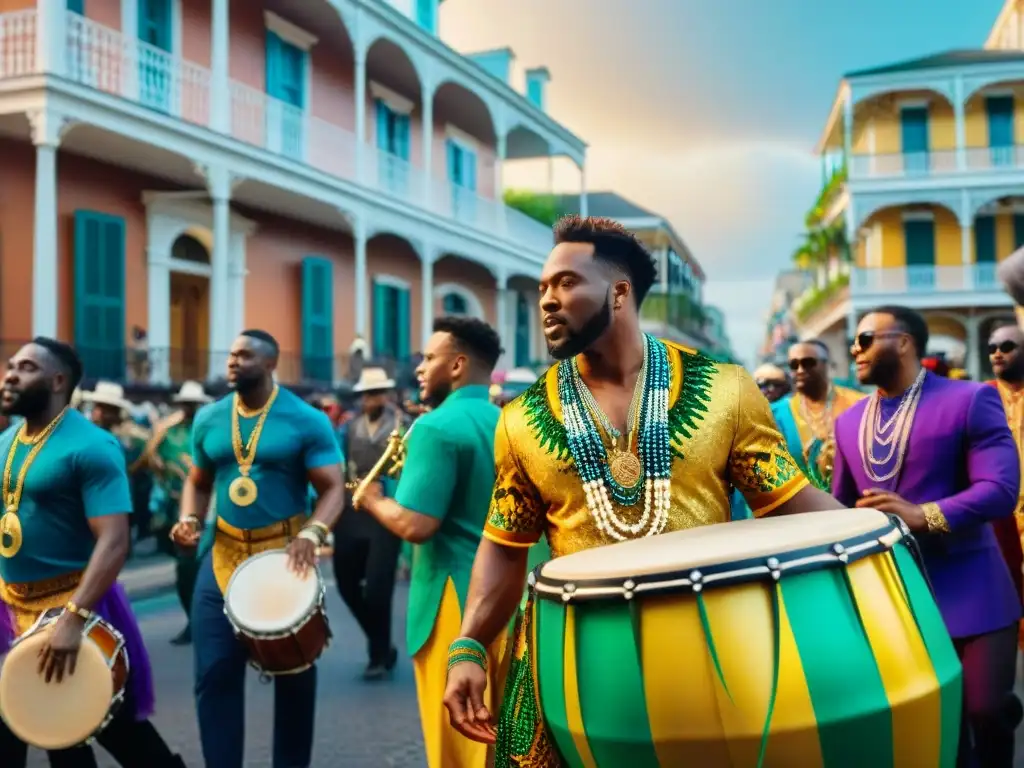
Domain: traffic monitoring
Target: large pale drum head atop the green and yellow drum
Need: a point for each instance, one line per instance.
(714, 545)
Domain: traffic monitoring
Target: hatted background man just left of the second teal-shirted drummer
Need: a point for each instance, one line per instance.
(169, 455)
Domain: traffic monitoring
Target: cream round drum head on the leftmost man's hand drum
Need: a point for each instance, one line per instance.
(55, 716)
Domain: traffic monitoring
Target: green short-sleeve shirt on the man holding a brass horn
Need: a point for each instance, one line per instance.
(449, 476)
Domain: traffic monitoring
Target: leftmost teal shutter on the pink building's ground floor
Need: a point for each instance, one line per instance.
(100, 294)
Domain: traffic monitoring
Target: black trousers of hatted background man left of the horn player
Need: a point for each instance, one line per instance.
(366, 563)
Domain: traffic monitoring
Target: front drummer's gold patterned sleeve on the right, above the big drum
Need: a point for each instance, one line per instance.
(760, 464)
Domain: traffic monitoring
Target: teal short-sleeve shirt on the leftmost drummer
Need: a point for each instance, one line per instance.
(79, 474)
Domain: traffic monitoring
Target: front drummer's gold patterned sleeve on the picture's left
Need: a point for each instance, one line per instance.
(517, 517)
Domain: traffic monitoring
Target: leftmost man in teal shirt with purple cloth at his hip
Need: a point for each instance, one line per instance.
(65, 540)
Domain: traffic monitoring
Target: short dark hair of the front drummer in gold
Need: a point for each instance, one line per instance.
(614, 245)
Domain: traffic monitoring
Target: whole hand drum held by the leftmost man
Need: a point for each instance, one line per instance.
(58, 716)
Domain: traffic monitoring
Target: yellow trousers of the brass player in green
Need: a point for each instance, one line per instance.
(447, 748)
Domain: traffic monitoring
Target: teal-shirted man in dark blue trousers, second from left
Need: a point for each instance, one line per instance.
(255, 452)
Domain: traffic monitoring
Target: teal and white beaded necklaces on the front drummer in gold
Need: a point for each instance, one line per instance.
(590, 455)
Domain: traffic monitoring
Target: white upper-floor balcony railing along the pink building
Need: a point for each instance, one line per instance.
(107, 61)
